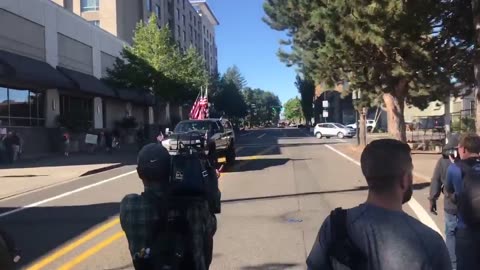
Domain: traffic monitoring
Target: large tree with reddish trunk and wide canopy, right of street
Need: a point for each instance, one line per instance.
(381, 47)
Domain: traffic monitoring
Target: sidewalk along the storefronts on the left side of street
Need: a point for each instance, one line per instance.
(32, 174)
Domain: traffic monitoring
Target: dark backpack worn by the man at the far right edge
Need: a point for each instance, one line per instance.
(468, 201)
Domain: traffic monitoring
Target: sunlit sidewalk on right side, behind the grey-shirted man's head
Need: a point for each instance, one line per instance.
(424, 163)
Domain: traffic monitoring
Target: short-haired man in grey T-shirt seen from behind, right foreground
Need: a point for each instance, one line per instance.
(377, 234)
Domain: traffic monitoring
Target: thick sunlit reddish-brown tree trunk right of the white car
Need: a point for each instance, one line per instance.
(396, 121)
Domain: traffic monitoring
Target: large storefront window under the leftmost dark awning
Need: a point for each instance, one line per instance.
(21, 107)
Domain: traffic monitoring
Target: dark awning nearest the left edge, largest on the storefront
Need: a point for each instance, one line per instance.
(24, 72)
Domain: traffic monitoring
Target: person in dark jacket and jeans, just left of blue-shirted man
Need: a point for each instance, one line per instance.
(439, 180)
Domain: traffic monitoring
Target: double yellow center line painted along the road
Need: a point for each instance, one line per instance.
(93, 234)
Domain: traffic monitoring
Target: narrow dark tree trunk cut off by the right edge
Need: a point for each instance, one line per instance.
(476, 59)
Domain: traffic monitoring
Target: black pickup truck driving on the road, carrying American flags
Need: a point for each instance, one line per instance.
(219, 132)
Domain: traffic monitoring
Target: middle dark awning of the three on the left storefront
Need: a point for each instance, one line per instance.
(87, 83)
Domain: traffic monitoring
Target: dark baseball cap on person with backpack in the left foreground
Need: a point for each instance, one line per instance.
(154, 158)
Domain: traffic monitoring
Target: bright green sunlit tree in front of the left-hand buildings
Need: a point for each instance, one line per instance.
(154, 62)
